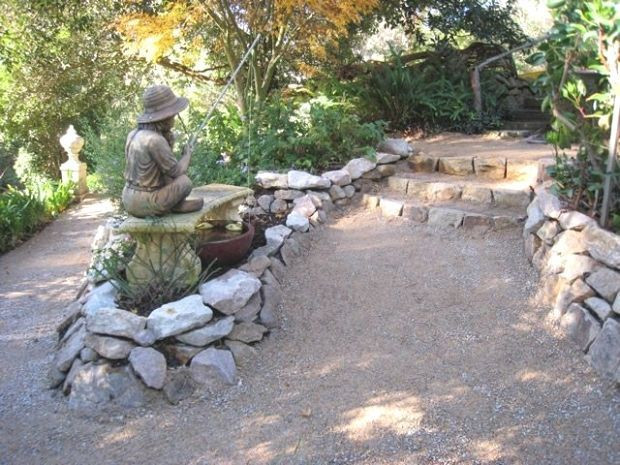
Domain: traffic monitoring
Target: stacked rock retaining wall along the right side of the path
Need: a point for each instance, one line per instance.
(579, 265)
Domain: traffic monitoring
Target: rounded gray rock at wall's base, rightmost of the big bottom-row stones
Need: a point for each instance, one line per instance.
(214, 366)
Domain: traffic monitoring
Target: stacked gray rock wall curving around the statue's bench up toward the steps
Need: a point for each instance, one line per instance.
(108, 355)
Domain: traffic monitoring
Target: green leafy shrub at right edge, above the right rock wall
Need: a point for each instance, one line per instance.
(581, 81)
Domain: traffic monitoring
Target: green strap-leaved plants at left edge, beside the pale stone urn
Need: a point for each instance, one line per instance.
(24, 211)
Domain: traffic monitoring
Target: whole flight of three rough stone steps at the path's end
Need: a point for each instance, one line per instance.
(470, 192)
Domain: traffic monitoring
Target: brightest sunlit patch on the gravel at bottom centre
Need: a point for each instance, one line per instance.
(397, 416)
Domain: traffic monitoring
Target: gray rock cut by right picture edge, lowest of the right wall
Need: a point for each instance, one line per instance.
(604, 354)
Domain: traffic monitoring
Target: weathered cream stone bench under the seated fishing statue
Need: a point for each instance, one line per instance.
(165, 245)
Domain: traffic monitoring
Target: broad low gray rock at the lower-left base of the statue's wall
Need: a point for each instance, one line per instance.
(96, 386)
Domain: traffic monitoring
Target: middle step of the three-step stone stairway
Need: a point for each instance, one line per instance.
(432, 191)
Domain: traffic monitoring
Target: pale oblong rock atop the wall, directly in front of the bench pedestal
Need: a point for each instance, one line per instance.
(179, 317)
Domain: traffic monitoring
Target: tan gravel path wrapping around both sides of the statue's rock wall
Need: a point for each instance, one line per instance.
(399, 344)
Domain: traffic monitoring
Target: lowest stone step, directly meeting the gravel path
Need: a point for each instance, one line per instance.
(453, 214)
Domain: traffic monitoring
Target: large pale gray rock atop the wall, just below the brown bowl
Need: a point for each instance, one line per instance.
(230, 292)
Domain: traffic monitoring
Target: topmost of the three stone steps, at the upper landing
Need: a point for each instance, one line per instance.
(494, 167)
